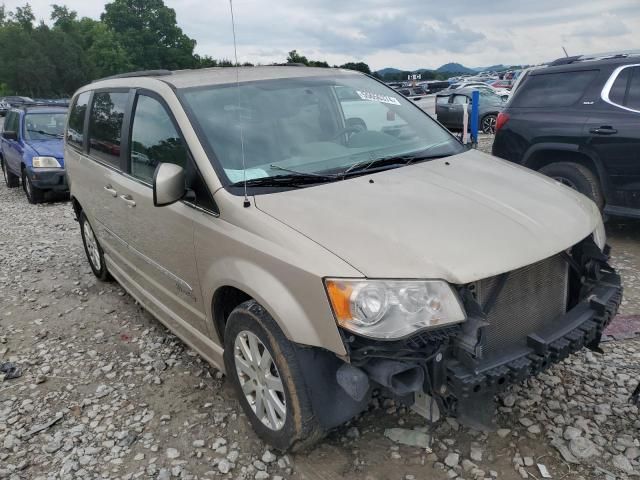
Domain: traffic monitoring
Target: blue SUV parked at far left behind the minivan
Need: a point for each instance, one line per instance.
(31, 147)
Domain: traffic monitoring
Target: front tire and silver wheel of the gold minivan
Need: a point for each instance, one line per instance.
(263, 368)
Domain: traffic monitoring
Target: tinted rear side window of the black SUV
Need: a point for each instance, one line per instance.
(553, 89)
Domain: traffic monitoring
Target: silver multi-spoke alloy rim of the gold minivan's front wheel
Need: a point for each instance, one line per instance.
(260, 380)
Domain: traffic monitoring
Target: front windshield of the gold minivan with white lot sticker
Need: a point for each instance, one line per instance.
(313, 126)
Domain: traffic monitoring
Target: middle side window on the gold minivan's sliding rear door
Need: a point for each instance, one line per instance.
(105, 126)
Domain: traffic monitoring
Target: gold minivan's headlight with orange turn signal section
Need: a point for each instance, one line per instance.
(391, 309)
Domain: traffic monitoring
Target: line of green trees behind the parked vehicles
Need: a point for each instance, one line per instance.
(47, 61)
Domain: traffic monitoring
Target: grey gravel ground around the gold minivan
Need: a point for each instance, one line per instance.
(107, 392)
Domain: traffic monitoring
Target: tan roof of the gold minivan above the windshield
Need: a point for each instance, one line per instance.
(227, 75)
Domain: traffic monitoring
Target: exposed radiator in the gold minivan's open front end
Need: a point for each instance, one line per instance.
(532, 298)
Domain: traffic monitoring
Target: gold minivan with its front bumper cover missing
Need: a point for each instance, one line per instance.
(317, 236)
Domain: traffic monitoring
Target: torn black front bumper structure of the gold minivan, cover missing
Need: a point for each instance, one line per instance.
(450, 364)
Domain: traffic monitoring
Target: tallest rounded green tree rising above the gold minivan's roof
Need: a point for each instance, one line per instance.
(150, 34)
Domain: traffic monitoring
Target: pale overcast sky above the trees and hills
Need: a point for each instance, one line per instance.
(398, 33)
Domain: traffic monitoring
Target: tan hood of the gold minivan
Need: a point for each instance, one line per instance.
(460, 218)
